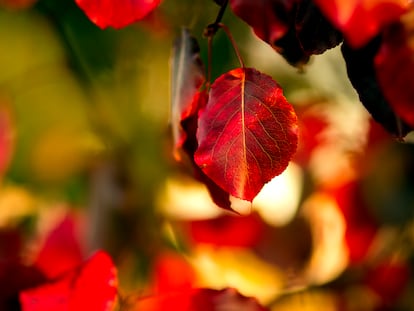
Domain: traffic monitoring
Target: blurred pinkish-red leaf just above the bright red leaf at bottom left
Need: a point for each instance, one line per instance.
(61, 250)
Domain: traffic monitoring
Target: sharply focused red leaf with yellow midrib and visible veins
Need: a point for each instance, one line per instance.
(247, 133)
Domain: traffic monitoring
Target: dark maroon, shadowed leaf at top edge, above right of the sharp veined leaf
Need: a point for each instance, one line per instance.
(294, 28)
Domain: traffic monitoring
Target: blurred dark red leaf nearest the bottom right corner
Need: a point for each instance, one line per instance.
(388, 280)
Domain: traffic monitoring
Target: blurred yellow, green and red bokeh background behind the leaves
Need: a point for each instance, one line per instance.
(86, 158)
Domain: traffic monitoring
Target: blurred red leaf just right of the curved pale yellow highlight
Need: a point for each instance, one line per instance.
(360, 225)
